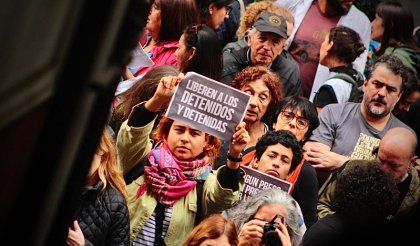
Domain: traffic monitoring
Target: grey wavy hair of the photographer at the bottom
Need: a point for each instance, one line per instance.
(246, 209)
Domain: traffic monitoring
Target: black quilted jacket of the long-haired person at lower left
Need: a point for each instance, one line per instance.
(103, 217)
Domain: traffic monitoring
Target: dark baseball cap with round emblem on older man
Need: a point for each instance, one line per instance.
(270, 22)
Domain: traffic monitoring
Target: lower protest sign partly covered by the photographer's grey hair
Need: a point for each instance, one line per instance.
(256, 181)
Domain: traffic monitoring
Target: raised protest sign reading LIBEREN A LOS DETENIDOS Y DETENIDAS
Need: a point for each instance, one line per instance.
(208, 105)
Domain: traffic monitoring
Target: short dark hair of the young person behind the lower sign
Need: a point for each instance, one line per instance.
(284, 138)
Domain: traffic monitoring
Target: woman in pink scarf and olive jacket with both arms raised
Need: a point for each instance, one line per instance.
(165, 200)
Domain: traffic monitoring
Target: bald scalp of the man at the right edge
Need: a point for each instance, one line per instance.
(400, 138)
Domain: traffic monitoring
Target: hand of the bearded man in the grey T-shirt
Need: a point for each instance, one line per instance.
(324, 159)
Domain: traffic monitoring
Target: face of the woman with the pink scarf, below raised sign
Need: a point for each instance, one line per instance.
(186, 143)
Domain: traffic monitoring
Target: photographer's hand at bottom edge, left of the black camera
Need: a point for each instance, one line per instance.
(251, 233)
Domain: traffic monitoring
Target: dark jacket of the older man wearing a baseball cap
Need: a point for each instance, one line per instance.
(235, 59)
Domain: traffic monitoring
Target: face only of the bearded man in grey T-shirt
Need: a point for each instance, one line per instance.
(381, 92)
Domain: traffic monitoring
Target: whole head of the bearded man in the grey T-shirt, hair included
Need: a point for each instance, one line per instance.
(383, 86)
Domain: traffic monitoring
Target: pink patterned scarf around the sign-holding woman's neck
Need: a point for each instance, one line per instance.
(169, 178)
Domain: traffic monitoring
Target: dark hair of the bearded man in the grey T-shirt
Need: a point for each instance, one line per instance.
(394, 64)
